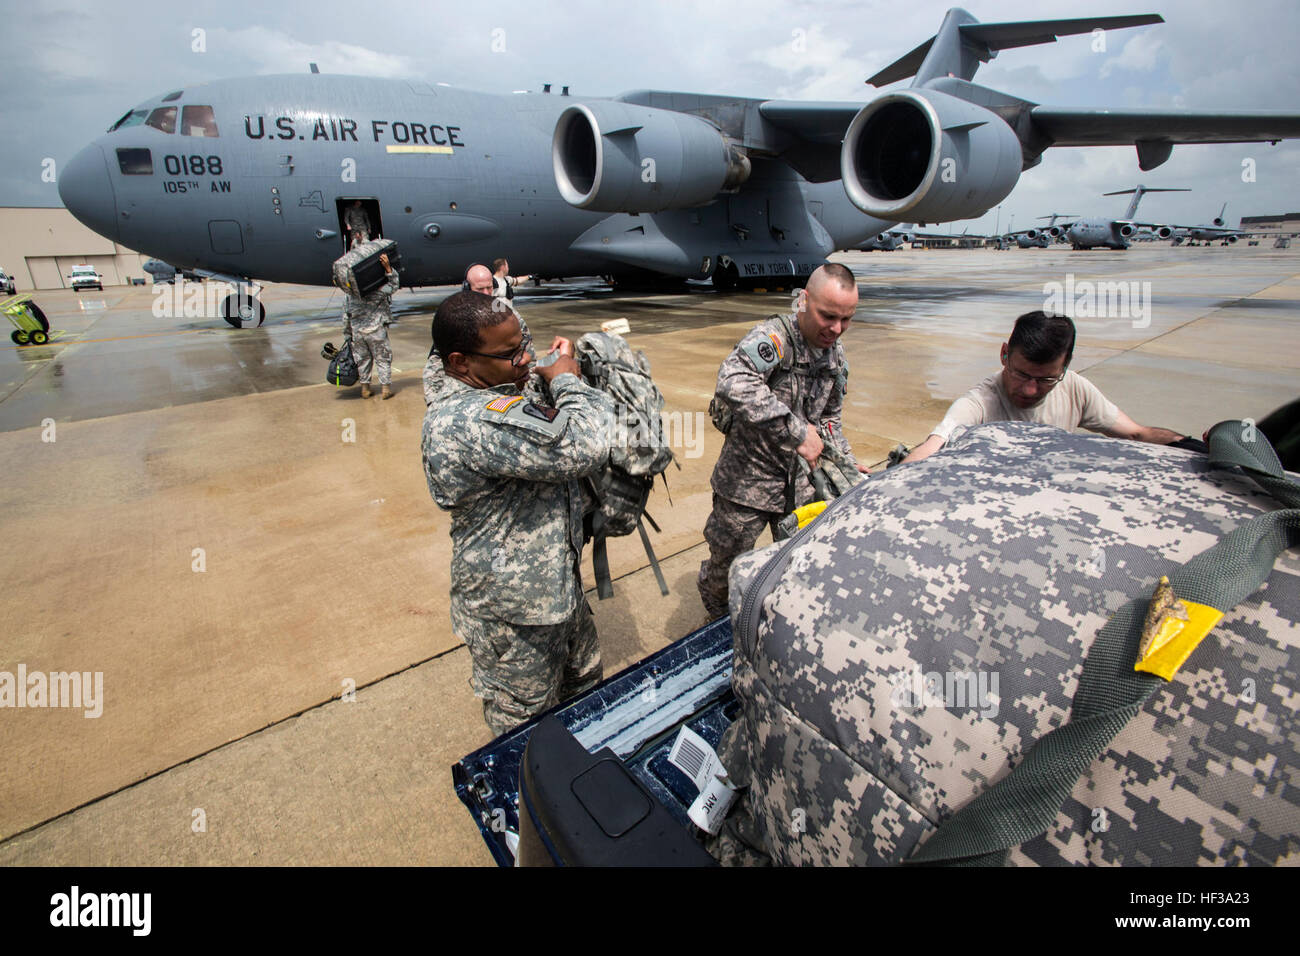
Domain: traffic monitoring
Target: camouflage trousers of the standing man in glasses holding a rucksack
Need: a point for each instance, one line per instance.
(521, 671)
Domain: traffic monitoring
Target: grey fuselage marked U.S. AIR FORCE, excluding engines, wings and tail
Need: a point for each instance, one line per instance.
(252, 178)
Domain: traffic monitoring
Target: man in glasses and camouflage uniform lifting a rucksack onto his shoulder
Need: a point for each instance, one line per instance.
(509, 469)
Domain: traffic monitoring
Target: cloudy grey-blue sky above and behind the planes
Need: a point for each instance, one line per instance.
(86, 63)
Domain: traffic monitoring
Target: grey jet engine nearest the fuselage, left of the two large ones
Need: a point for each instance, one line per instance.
(614, 157)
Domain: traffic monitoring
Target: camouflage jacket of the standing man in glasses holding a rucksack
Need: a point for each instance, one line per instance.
(508, 470)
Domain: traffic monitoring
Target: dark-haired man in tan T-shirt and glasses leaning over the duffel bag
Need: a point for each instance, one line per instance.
(1035, 386)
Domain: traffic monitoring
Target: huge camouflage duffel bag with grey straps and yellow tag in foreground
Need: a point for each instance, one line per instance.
(944, 667)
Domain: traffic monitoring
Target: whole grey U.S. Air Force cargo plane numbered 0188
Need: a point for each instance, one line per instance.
(249, 179)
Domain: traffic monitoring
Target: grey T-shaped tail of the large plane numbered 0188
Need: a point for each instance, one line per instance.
(963, 44)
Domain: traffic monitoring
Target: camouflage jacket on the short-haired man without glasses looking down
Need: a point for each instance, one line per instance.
(775, 386)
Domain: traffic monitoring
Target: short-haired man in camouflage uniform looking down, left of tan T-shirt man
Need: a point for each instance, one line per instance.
(779, 386)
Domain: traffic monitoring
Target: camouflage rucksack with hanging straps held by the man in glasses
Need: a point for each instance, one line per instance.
(638, 449)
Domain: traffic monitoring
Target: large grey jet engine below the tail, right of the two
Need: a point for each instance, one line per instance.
(929, 157)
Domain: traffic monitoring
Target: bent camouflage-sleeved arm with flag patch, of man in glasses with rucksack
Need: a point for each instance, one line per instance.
(544, 444)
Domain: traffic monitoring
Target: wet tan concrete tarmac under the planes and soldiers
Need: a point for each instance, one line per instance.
(197, 526)
